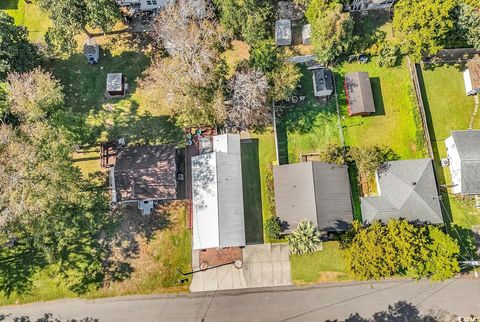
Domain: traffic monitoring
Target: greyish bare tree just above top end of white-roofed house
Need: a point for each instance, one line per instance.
(248, 107)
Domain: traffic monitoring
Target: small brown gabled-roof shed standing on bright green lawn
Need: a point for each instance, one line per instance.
(359, 94)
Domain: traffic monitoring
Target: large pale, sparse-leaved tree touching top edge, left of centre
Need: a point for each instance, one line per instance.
(187, 30)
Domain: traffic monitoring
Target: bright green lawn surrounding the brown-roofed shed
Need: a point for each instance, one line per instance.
(395, 123)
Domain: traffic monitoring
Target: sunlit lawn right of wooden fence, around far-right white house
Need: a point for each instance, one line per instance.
(448, 108)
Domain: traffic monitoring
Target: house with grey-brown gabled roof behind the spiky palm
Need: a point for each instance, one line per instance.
(315, 191)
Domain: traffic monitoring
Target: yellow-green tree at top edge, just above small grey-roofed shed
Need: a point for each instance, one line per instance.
(332, 29)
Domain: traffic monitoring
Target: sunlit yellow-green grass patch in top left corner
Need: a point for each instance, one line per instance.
(28, 15)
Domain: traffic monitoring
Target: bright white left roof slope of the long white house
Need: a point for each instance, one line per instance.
(205, 202)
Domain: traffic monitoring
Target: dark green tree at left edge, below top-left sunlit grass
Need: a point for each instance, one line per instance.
(17, 54)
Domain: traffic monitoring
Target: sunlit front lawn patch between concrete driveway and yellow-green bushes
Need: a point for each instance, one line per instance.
(321, 266)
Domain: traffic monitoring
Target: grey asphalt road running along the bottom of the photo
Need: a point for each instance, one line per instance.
(394, 300)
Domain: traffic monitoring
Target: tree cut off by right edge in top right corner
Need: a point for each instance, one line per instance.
(469, 22)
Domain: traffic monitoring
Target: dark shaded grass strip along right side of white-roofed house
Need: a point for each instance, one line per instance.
(252, 197)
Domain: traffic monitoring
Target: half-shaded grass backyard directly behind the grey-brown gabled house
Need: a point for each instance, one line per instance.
(308, 126)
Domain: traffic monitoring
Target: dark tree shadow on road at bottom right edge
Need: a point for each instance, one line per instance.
(400, 312)
